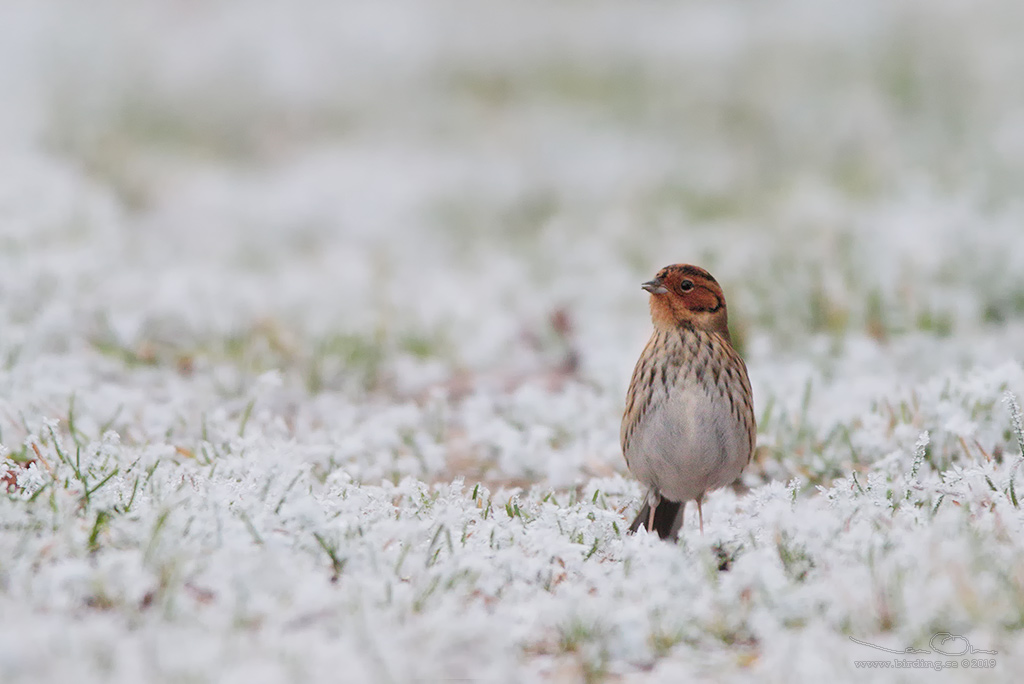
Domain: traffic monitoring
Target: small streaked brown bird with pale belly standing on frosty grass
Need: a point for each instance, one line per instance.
(689, 426)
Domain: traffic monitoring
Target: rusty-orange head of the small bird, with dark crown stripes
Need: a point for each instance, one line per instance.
(686, 295)
